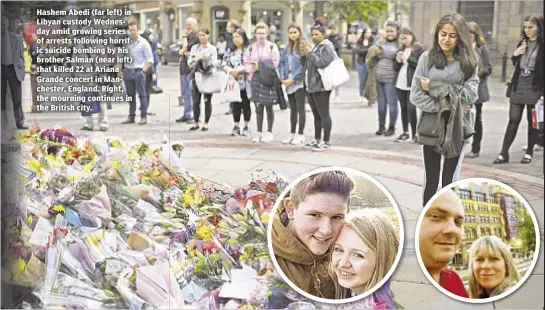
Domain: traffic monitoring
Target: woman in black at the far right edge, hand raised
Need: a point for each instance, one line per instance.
(526, 86)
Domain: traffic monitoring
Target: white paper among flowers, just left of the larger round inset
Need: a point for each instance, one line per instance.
(243, 283)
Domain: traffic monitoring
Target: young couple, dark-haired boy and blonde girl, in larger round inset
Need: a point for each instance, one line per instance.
(323, 253)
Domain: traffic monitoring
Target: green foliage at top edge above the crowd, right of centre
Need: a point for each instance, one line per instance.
(351, 11)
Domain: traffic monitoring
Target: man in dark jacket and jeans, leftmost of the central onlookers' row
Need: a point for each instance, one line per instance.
(190, 38)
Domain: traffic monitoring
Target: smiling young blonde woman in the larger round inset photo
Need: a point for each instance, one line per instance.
(363, 254)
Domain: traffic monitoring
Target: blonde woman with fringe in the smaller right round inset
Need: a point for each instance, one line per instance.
(492, 270)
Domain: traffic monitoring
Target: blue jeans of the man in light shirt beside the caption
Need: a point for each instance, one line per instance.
(135, 82)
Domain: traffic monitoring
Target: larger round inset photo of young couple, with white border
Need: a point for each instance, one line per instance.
(336, 236)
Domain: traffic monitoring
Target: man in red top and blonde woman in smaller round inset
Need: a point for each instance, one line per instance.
(492, 270)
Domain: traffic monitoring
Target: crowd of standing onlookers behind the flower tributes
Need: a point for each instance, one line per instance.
(440, 91)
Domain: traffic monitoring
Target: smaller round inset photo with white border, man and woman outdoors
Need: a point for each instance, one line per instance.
(477, 240)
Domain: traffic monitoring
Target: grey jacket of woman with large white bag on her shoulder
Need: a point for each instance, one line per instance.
(320, 57)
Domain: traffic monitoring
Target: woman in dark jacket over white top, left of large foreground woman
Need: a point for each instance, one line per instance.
(406, 62)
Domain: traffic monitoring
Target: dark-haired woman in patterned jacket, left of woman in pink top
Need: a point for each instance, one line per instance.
(233, 64)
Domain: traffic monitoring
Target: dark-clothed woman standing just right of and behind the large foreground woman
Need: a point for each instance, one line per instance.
(485, 69)
